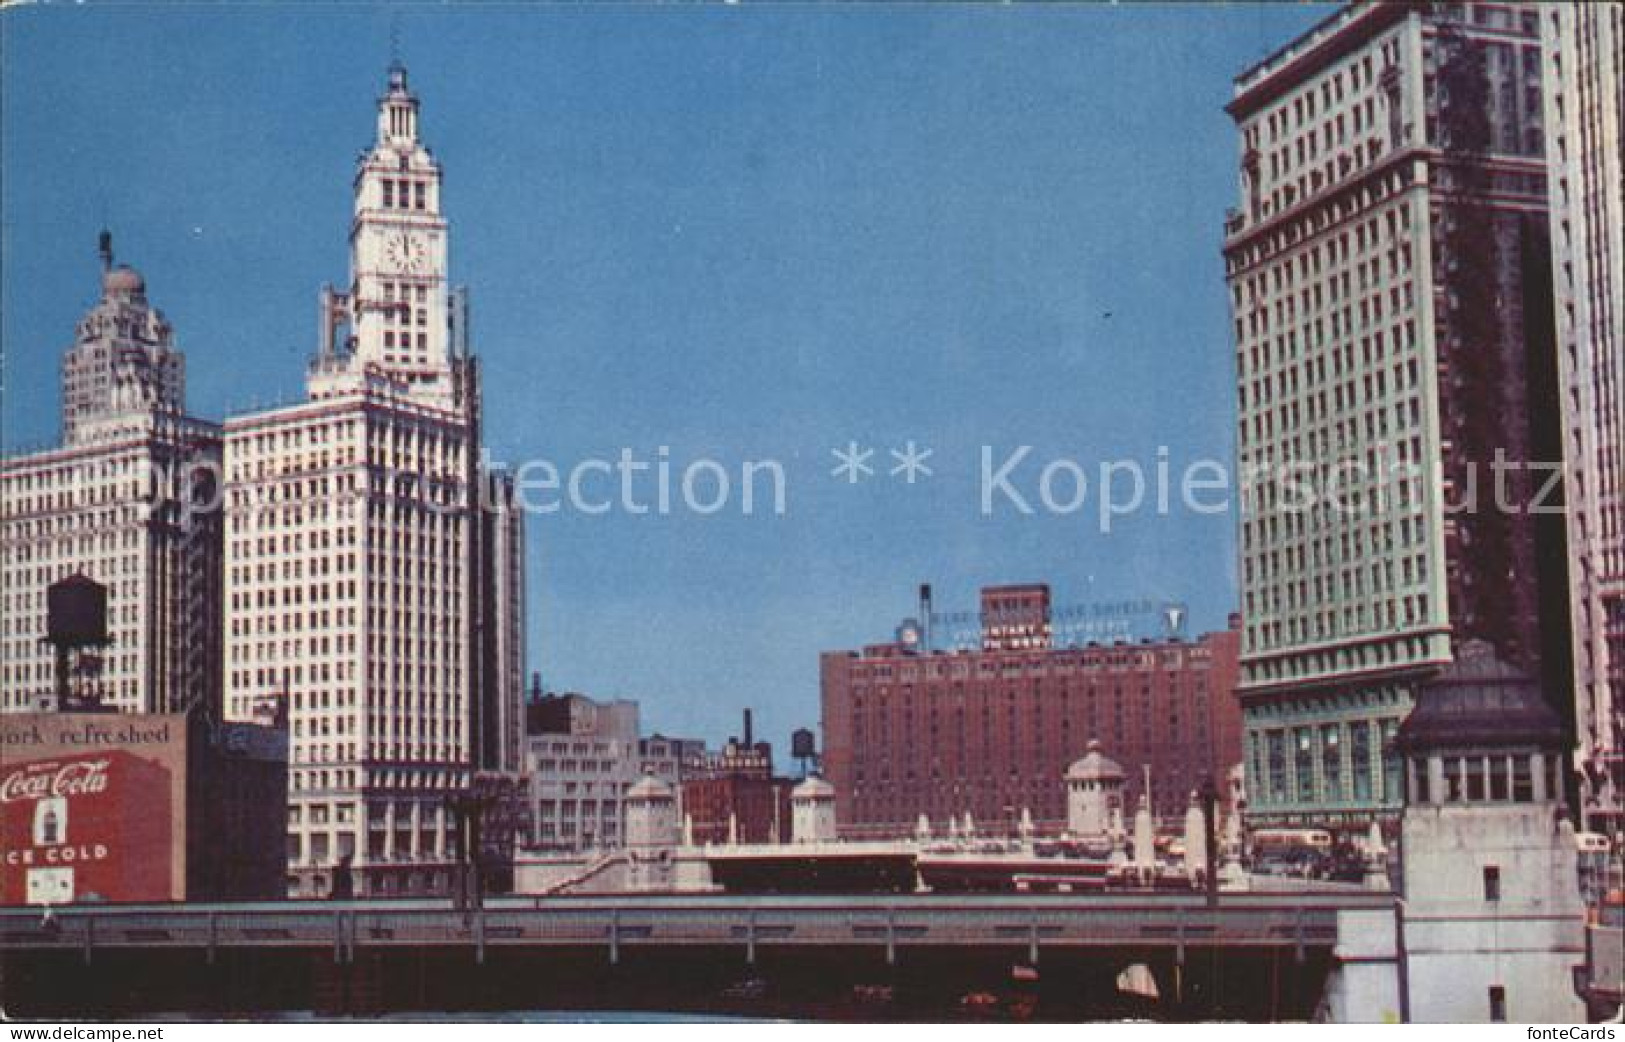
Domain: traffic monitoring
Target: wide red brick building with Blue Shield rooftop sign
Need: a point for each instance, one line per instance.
(994, 731)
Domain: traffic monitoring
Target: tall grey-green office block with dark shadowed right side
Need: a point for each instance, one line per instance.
(1390, 287)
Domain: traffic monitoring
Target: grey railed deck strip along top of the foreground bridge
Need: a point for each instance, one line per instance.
(1098, 921)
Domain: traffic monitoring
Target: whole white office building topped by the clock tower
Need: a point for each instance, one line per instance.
(373, 567)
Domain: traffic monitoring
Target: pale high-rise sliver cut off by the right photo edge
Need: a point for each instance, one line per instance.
(1585, 95)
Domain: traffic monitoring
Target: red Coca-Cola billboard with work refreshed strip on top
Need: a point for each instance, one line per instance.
(92, 809)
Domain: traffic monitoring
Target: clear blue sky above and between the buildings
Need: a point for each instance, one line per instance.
(747, 233)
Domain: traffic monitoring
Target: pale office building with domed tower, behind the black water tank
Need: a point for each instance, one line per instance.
(128, 500)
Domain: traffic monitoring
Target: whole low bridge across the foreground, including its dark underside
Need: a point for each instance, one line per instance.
(1246, 955)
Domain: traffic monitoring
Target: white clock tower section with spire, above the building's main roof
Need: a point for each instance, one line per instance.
(399, 306)
